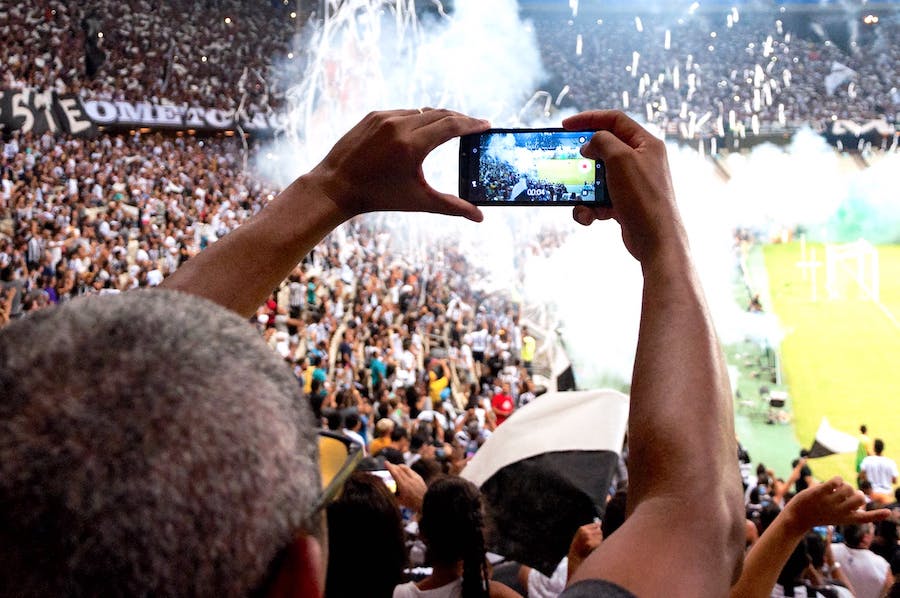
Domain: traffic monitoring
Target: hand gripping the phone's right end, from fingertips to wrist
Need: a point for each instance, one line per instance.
(640, 186)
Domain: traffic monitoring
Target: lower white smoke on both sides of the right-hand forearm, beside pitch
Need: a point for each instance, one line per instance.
(596, 285)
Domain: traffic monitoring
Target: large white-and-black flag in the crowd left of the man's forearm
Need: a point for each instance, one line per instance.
(547, 471)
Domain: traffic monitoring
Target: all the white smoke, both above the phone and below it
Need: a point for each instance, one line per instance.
(484, 61)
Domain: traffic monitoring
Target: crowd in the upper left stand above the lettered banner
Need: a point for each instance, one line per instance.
(213, 54)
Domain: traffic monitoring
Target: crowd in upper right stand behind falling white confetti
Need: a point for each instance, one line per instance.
(726, 70)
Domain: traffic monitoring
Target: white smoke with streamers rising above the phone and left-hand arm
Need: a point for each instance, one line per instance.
(377, 55)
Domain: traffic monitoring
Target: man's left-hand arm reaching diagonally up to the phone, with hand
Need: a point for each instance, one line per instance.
(376, 166)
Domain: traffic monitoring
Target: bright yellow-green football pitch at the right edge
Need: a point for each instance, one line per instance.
(840, 355)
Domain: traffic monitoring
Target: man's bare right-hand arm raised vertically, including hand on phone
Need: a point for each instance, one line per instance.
(685, 500)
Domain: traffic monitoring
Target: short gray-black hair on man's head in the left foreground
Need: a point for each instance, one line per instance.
(150, 444)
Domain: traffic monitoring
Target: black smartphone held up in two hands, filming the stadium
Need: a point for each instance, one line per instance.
(530, 167)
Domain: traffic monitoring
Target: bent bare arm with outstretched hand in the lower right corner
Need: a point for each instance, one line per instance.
(832, 503)
